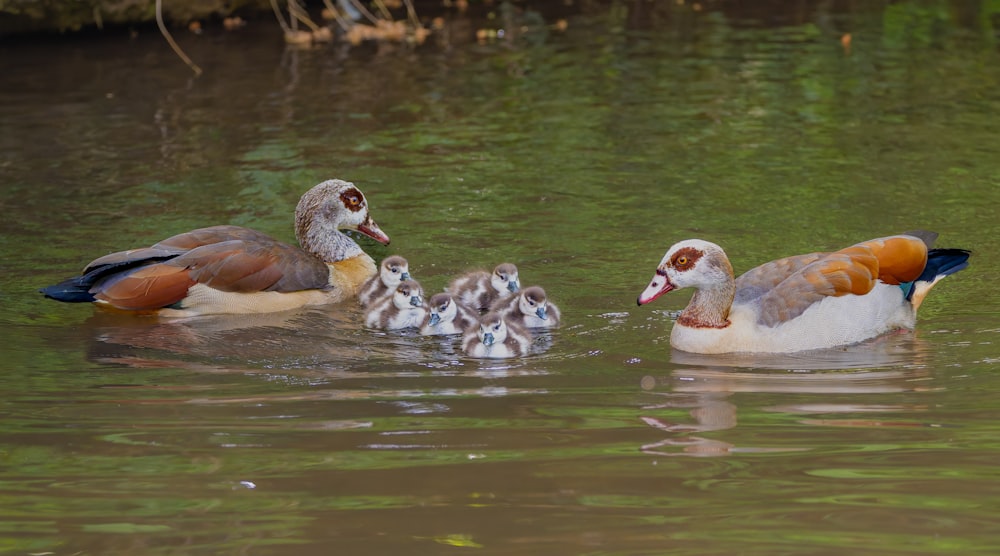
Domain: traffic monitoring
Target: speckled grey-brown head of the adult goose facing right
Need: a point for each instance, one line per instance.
(332, 206)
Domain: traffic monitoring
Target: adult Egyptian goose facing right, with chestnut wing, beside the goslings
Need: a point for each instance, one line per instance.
(230, 269)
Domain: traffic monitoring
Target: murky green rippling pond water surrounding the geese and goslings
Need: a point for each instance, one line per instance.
(581, 156)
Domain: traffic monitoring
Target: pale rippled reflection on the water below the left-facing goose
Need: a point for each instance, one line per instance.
(705, 384)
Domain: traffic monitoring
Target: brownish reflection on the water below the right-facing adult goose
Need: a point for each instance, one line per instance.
(322, 341)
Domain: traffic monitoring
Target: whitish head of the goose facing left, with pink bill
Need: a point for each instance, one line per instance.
(692, 263)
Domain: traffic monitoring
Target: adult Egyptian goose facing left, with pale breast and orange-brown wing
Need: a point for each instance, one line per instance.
(812, 301)
